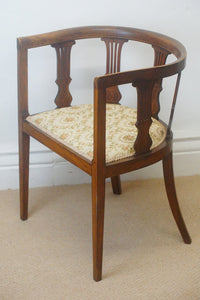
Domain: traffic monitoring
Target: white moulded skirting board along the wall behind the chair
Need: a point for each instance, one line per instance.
(47, 168)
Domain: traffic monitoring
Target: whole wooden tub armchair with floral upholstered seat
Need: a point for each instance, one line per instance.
(101, 158)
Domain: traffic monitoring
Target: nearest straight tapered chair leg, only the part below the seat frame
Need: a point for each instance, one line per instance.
(98, 204)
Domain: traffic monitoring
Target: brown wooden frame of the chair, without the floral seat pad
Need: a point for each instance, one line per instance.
(148, 83)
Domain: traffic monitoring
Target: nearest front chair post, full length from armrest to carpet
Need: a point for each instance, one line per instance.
(98, 177)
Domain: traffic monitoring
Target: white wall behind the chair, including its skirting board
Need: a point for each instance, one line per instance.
(177, 18)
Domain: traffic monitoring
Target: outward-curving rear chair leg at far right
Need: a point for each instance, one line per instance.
(173, 202)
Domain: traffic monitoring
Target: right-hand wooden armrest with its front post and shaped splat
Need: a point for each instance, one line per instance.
(144, 81)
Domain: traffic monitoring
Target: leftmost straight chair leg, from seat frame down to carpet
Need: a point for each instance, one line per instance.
(24, 142)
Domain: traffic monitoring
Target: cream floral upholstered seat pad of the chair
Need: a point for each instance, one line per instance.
(73, 127)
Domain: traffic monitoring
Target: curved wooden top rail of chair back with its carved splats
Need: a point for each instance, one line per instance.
(148, 82)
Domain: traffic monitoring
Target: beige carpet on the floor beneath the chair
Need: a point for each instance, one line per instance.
(50, 255)
